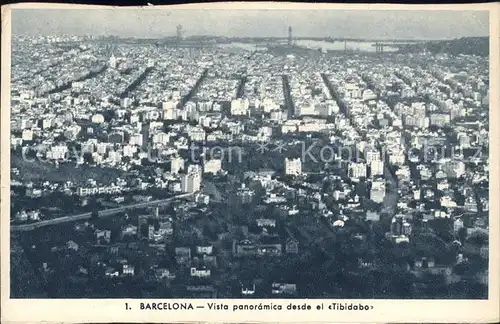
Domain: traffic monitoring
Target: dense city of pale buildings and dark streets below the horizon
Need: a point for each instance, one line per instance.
(204, 166)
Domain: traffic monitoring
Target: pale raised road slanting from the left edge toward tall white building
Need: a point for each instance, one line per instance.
(105, 212)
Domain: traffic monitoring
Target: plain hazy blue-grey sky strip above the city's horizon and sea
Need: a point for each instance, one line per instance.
(335, 23)
